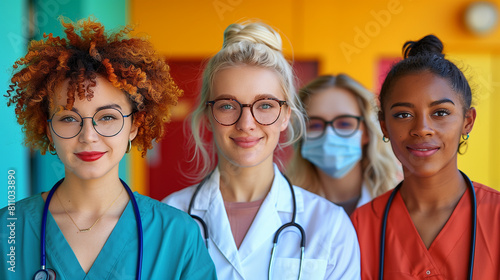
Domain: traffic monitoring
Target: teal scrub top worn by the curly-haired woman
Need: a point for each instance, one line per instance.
(173, 248)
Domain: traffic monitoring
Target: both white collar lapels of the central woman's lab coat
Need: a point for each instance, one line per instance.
(264, 226)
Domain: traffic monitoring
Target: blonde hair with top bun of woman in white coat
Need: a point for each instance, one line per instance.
(253, 44)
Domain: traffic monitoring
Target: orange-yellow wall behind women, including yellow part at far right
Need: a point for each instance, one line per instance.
(330, 32)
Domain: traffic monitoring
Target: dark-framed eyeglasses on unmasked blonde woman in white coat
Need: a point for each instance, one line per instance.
(227, 111)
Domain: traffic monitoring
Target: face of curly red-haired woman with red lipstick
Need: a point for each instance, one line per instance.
(90, 155)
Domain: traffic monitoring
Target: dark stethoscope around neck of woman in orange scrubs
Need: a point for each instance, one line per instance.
(473, 228)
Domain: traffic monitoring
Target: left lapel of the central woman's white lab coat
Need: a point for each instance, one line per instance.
(217, 221)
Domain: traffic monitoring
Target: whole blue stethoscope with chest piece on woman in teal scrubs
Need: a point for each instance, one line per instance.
(48, 273)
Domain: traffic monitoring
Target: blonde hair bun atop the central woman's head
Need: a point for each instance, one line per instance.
(254, 32)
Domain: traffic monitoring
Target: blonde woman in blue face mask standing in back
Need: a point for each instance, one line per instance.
(341, 157)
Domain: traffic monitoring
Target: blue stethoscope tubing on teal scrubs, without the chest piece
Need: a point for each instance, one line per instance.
(137, 217)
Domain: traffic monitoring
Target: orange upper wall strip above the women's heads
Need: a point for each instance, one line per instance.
(315, 28)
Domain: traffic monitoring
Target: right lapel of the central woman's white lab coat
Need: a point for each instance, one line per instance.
(268, 221)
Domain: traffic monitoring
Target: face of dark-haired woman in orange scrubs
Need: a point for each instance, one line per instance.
(424, 119)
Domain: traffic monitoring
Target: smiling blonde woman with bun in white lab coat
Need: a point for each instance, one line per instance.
(248, 100)
